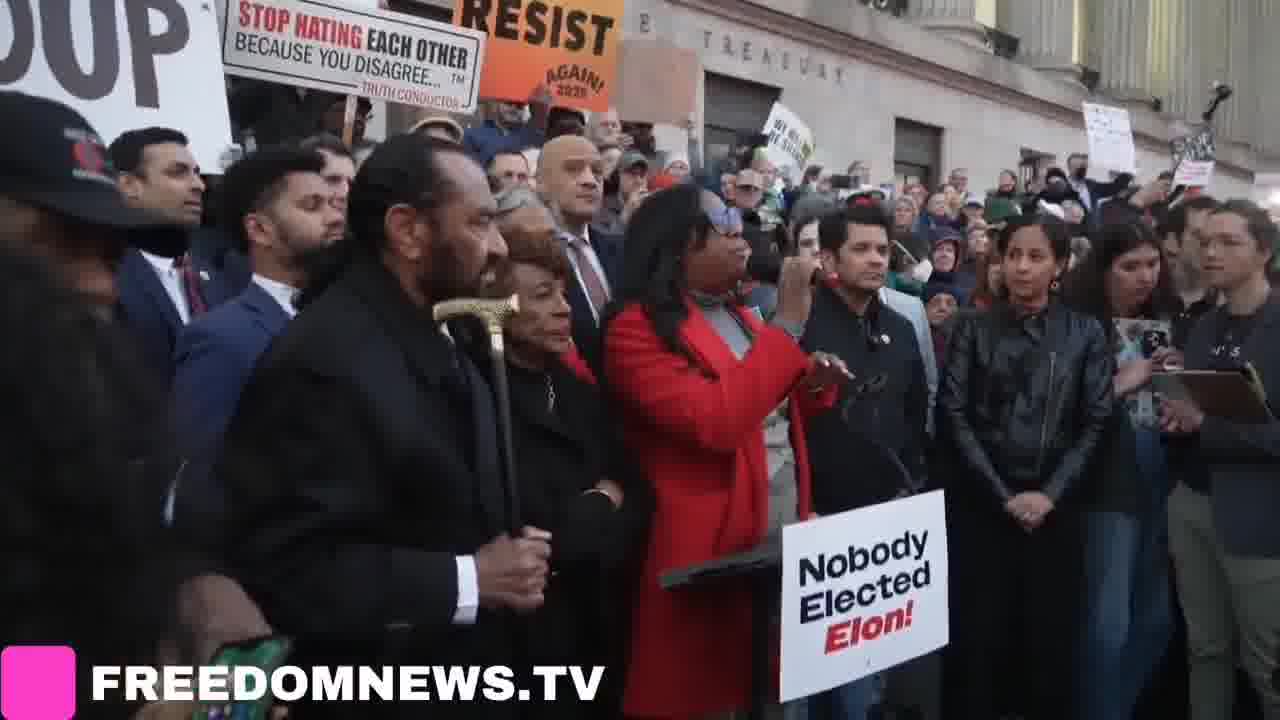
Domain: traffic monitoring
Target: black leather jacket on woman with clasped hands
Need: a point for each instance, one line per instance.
(1025, 400)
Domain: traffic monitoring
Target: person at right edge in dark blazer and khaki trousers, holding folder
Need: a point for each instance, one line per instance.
(1223, 531)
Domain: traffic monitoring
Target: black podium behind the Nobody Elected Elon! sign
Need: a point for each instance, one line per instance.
(762, 567)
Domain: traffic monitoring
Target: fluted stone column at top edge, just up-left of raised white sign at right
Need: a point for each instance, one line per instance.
(1046, 35)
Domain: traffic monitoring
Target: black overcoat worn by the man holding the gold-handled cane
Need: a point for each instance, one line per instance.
(359, 466)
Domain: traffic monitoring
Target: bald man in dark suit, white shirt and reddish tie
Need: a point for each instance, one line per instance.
(570, 183)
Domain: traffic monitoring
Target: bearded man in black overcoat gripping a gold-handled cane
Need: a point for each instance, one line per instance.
(365, 494)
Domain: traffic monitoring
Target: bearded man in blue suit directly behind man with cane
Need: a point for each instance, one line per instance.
(284, 216)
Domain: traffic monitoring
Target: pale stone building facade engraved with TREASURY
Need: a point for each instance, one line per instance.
(916, 88)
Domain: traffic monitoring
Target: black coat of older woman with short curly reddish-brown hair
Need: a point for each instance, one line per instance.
(561, 454)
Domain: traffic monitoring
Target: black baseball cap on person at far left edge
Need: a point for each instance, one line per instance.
(56, 161)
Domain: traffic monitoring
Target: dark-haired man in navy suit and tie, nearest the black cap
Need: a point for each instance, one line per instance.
(162, 282)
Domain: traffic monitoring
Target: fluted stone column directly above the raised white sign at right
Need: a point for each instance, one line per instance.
(1122, 49)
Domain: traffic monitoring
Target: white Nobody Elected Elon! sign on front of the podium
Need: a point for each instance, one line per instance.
(863, 591)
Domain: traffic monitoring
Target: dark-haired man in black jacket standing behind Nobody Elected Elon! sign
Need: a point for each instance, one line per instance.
(881, 416)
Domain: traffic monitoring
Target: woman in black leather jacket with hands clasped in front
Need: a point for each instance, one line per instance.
(1026, 397)
